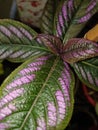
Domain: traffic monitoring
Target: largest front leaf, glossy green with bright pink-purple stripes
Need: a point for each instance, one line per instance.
(37, 96)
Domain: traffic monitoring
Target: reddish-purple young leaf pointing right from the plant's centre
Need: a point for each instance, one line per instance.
(78, 49)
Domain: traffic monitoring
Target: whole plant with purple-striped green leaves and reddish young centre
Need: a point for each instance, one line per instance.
(39, 94)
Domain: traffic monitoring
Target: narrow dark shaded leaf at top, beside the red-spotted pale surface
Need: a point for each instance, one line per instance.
(47, 21)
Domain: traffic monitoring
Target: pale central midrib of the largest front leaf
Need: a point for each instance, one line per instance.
(49, 75)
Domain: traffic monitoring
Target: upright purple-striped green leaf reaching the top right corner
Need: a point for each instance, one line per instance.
(72, 15)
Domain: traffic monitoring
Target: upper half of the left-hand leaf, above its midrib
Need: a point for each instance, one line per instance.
(12, 31)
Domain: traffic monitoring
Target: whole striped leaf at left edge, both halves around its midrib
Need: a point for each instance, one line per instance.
(17, 41)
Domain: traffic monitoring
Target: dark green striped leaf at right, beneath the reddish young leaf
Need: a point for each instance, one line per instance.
(87, 72)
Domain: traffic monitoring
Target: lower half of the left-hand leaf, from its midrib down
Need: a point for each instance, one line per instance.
(20, 53)
